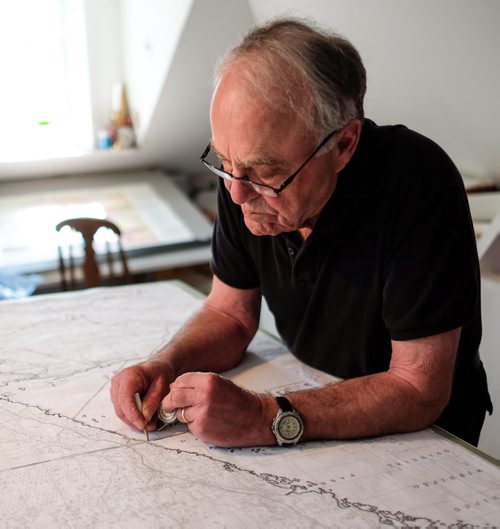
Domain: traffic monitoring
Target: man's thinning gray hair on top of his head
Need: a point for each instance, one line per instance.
(318, 74)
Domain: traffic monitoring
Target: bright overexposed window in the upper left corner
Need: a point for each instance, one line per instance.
(45, 107)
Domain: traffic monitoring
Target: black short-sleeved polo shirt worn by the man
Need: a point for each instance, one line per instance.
(392, 256)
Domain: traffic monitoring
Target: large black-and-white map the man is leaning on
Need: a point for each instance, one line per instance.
(67, 461)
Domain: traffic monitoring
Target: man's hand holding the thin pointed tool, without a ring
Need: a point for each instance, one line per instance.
(151, 380)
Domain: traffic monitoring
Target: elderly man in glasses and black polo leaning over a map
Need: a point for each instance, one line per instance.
(360, 239)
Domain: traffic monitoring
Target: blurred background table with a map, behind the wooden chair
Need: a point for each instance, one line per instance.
(161, 228)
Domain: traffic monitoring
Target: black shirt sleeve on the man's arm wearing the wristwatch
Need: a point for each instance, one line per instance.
(431, 270)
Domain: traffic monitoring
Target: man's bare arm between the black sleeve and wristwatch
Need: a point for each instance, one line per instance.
(409, 396)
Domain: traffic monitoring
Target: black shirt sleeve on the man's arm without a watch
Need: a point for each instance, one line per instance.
(231, 260)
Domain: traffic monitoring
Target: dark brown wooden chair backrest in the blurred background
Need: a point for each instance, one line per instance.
(91, 272)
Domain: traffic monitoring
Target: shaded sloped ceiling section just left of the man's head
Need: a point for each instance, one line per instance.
(179, 128)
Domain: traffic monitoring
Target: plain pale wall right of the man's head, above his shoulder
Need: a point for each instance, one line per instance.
(432, 65)
